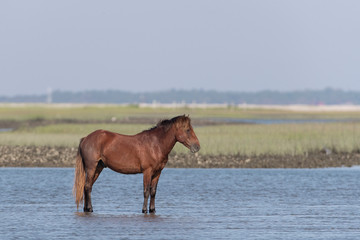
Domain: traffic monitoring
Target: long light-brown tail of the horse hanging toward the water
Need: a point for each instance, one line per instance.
(79, 179)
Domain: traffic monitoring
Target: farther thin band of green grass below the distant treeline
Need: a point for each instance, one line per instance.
(22, 112)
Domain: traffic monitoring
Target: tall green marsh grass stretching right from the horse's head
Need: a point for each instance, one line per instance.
(293, 139)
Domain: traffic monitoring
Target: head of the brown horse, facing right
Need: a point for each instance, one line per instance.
(185, 134)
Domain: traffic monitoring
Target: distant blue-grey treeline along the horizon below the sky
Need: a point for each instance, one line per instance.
(312, 97)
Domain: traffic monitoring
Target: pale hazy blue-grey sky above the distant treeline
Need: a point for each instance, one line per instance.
(139, 46)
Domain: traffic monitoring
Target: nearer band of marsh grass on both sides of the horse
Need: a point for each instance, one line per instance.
(281, 139)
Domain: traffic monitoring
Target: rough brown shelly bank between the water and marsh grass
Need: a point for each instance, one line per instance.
(44, 156)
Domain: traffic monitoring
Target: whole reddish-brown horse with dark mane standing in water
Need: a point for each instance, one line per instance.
(146, 152)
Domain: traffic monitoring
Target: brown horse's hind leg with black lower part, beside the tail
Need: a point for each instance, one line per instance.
(91, 175)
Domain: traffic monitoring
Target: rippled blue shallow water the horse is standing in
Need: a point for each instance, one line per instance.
(36, 203)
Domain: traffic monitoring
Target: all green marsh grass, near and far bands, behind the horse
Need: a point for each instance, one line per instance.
(216, 139)
